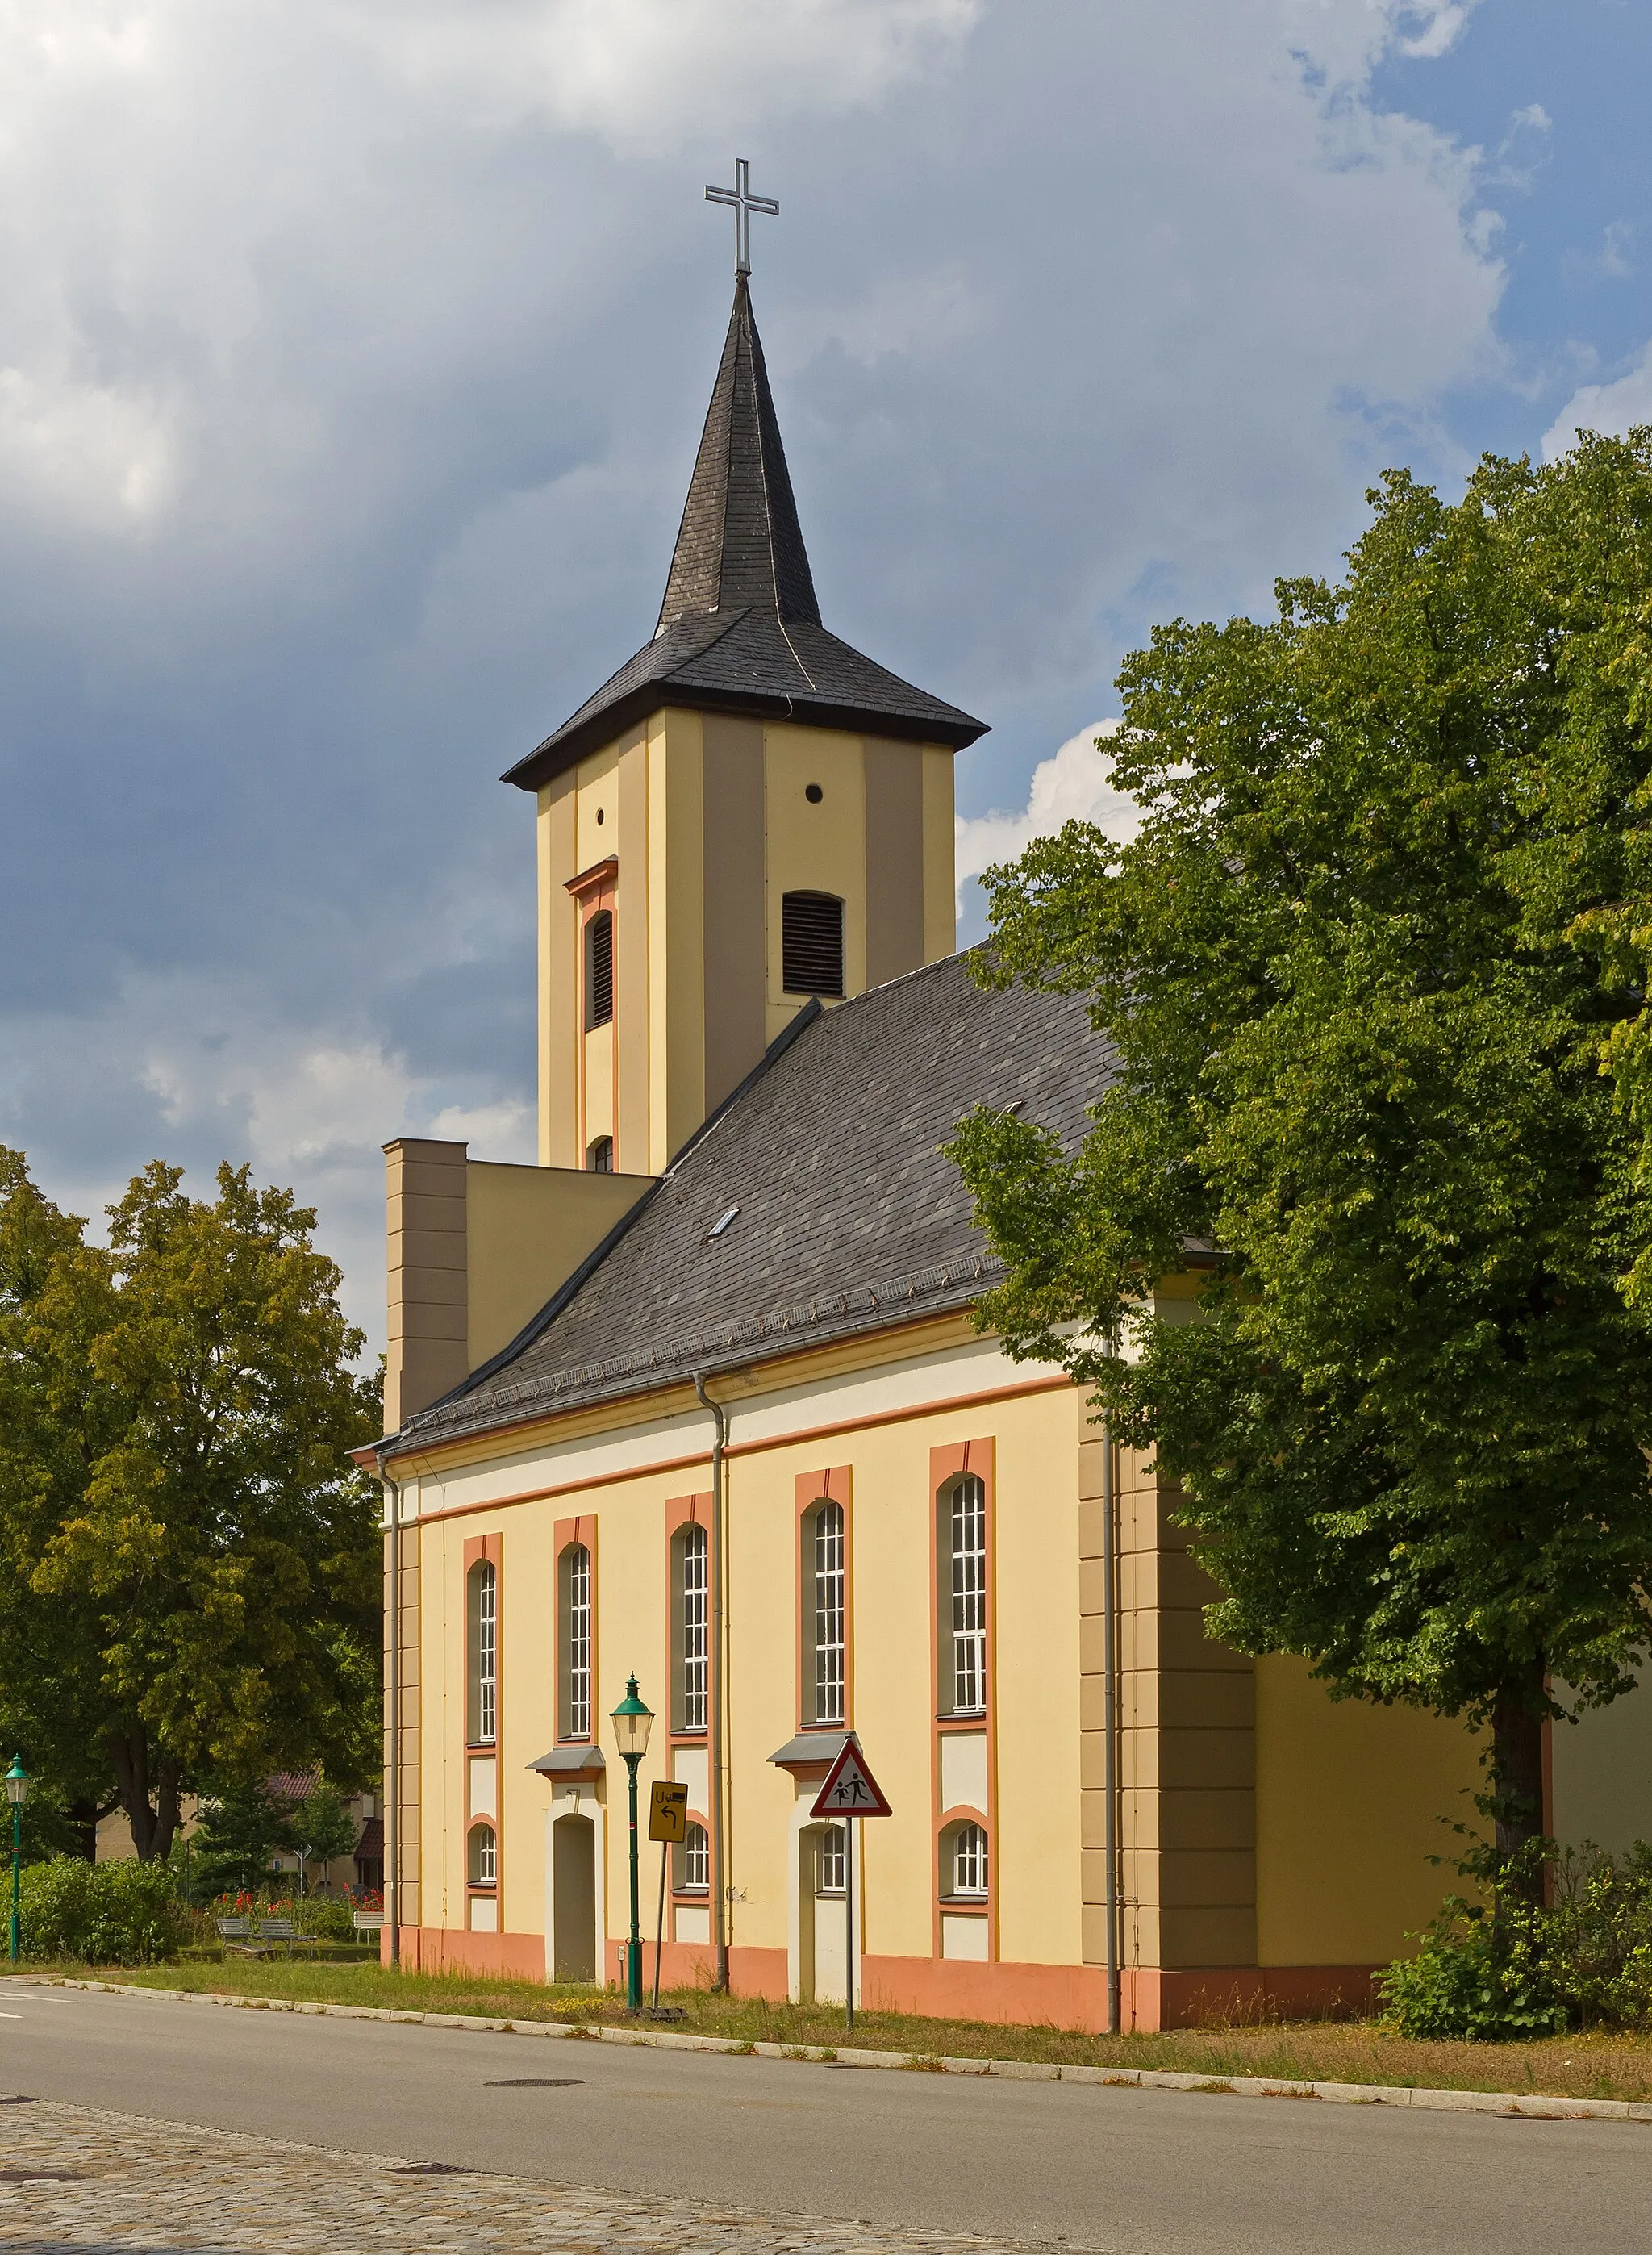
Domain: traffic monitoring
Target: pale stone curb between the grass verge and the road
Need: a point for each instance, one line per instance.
(1534, 2105)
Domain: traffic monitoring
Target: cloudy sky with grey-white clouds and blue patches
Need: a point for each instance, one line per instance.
(353, 360)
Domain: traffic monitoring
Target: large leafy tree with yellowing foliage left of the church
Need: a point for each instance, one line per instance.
(188, 1559)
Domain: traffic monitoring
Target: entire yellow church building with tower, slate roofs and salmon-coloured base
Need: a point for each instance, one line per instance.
(700, 1399)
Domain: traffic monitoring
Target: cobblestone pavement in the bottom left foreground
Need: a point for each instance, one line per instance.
(78, 2179)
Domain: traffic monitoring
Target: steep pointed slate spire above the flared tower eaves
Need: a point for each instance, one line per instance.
(740, 542)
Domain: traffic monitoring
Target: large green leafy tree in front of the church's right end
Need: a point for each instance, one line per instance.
(1362, 966)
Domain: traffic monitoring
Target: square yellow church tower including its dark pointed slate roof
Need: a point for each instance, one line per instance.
(745, 817)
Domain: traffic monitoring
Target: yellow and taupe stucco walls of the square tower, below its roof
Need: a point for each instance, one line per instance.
(711, 826)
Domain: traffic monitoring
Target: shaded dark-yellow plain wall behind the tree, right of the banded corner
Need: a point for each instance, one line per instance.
(1351, 1801)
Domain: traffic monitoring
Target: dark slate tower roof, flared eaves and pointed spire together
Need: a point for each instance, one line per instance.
(740, 626)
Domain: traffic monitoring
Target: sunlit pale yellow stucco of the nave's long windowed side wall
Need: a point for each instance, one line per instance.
(1038, 1776)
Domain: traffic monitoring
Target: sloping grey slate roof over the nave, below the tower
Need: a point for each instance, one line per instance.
(849, 1221)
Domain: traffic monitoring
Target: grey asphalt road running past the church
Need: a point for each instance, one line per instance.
(1135, 2173)
